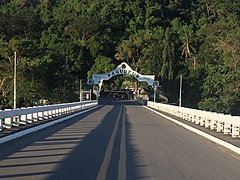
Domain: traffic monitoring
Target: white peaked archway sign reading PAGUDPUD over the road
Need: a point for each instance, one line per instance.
(123, 68)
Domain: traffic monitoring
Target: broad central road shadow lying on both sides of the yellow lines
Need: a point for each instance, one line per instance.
(85, 160)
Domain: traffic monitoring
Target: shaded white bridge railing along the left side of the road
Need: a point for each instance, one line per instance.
(26, 115)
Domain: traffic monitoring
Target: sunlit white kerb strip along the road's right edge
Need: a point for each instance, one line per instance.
(201, 133)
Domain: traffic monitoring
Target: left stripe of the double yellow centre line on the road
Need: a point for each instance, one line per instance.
(108, 154)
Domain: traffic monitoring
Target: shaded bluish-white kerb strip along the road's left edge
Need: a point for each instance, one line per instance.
(45, 125)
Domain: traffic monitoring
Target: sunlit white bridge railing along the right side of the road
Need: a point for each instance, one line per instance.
(219, 122)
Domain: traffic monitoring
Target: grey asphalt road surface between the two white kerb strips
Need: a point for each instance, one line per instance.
(118, 141)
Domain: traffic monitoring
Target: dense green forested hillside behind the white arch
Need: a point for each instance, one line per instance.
(59, 42)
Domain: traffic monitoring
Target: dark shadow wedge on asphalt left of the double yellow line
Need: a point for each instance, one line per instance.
(86, 158)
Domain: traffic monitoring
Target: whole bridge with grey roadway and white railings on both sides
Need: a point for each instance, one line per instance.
(118, 140)
